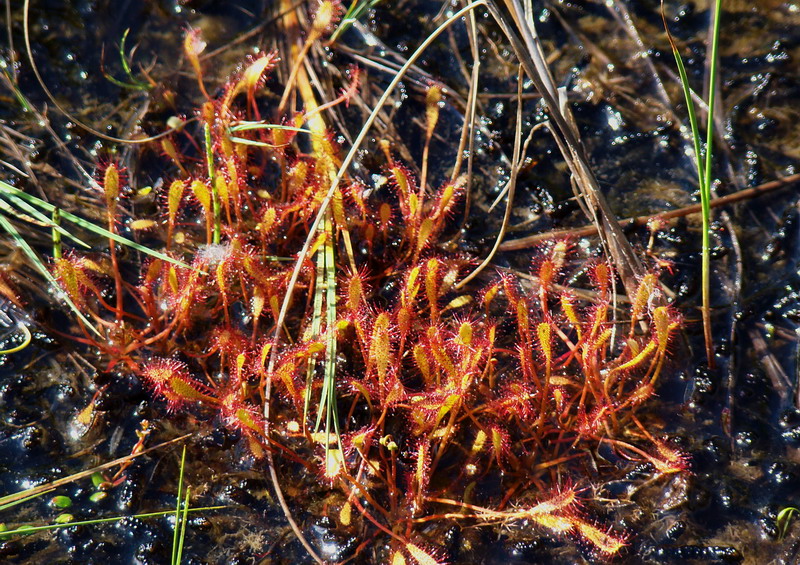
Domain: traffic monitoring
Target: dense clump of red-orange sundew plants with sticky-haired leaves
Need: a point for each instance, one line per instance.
(437, 393)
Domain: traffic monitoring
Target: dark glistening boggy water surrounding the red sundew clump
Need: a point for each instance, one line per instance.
(739, 422)
